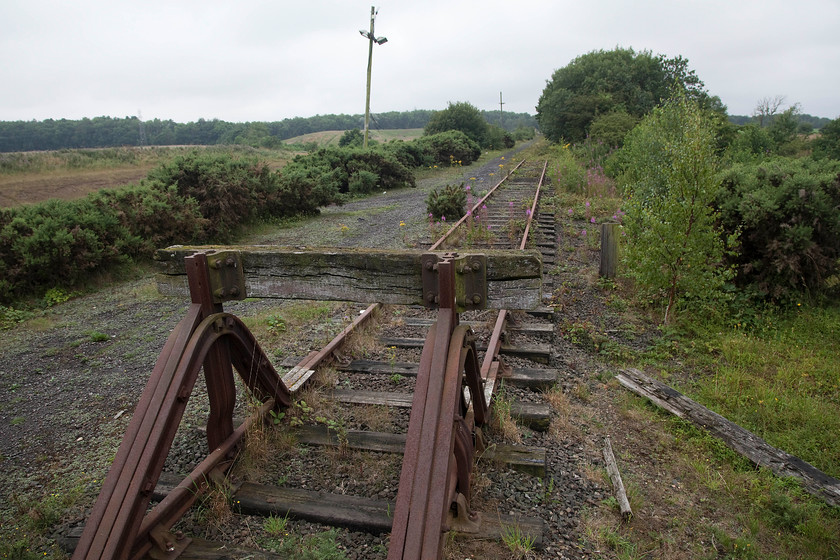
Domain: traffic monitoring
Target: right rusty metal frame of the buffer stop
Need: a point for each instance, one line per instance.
(440, 447)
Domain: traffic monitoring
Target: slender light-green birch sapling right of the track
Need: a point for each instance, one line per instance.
(675, 248)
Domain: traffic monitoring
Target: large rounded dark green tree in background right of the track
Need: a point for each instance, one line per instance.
(601, 82)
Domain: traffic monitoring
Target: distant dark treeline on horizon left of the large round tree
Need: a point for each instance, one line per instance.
(104, 132)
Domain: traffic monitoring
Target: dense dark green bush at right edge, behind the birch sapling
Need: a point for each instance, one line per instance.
(787, 213)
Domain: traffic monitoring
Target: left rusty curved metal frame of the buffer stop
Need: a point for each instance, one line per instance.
(208, 338)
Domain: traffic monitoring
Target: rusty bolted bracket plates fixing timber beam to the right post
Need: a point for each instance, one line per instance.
(470, 280)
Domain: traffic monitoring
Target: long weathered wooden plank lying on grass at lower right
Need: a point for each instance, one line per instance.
(737, 438)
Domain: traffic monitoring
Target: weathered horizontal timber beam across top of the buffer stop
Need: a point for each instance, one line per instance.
(514, 278)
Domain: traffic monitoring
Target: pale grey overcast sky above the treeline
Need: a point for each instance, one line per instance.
(255, 60)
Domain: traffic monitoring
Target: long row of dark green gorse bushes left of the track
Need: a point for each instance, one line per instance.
(196, 198)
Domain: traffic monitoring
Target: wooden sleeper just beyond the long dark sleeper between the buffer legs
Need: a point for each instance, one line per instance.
(523, 458)
